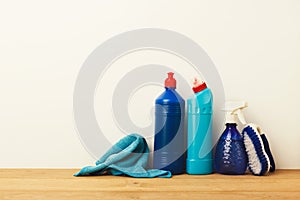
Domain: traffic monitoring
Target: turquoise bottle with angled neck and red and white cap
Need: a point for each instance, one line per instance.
(199, 153)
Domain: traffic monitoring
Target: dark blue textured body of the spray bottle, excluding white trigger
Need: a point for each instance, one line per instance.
(230, 157)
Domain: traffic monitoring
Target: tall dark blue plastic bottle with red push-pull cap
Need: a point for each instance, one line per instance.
(169, 145)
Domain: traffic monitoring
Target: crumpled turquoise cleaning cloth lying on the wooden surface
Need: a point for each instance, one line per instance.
(127, 157)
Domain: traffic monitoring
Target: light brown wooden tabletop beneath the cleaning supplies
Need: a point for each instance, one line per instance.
(60, 184)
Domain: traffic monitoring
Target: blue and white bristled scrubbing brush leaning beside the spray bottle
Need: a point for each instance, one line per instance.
(260, 159)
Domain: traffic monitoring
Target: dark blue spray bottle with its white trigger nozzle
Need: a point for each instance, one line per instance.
(230, 155)
